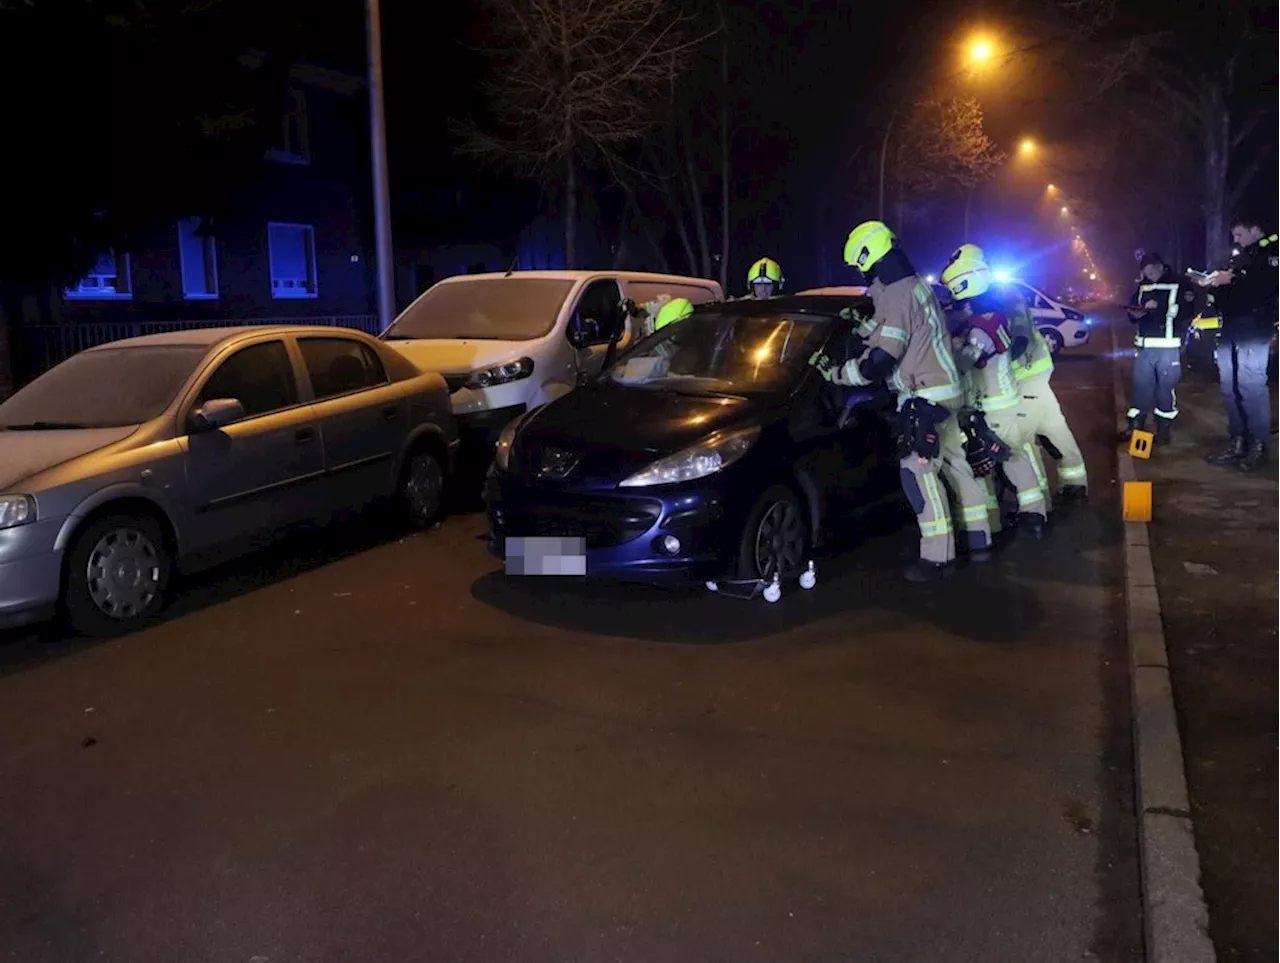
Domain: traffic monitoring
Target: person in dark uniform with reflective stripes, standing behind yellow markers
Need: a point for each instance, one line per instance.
(1162, 311)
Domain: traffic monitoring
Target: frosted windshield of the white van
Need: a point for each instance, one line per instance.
(493, 309)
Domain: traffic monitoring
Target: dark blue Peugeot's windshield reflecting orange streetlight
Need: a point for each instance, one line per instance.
(725, 354)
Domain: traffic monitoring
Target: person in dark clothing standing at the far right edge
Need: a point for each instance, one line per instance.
(1247, 296)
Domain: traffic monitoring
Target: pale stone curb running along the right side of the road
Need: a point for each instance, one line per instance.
(1176, 918)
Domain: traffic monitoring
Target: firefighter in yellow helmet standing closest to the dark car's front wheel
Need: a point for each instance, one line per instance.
(908, 346)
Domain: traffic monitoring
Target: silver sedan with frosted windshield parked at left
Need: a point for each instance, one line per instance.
(135, 459)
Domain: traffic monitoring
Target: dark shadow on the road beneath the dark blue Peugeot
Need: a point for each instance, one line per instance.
(861, 573)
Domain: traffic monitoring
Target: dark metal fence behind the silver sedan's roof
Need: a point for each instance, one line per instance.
(38, 348)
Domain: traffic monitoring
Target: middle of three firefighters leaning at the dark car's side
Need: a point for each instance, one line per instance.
(986, 354)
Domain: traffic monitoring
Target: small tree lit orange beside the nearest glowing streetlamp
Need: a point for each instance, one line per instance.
(945, 147)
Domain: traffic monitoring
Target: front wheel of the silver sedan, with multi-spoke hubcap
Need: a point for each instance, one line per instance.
(117, 576)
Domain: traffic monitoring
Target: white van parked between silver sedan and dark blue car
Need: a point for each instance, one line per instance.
(511, 343)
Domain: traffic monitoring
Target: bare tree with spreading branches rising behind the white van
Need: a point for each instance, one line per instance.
(574, 81)
